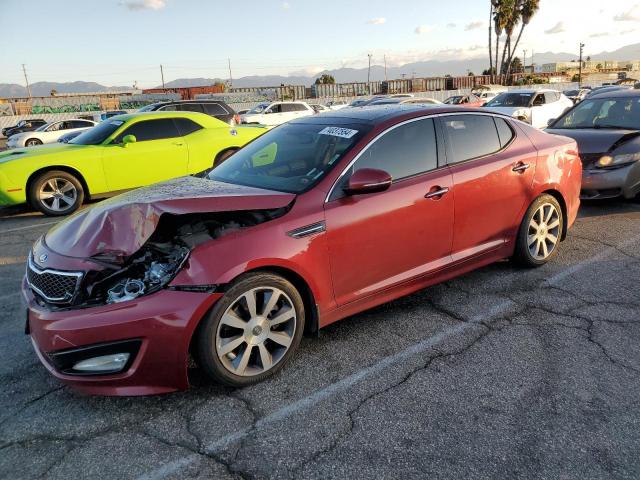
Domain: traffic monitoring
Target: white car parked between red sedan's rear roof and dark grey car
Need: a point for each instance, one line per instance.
(536, 107)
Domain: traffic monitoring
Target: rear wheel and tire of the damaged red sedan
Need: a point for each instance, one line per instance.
(540, 232)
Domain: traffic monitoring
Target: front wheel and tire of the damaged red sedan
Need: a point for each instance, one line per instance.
(252, 331)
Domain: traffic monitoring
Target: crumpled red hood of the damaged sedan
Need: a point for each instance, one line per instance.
(122, 224)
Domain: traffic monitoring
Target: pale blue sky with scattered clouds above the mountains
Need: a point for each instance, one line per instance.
(119, 42)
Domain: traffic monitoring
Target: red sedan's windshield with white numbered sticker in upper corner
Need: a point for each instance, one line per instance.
(290, 158)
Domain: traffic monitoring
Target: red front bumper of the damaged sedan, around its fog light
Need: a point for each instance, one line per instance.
(155, 329)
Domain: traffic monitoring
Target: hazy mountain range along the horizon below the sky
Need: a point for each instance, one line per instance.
(429, 68)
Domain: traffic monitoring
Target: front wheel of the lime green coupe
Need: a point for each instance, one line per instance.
(56, 193)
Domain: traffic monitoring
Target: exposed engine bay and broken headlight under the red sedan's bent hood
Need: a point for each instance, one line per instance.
(119, 278)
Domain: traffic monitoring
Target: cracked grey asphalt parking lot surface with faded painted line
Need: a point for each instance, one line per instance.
(501, 373)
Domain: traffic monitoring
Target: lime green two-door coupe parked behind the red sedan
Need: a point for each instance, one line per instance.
(123, 152)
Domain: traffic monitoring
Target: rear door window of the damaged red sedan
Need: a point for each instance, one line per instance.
(470, 136)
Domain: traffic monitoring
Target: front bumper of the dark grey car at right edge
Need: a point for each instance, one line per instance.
(610, 183)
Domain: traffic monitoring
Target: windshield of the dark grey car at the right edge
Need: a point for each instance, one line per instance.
(618, 112)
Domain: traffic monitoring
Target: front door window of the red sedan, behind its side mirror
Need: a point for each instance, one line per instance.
(407, 150)
